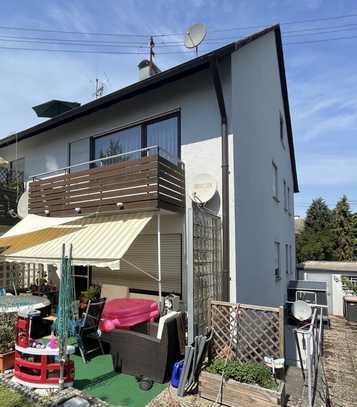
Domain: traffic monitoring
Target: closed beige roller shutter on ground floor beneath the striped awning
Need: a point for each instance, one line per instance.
(143, 253)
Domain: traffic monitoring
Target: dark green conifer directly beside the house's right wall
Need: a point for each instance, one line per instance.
(316, 241)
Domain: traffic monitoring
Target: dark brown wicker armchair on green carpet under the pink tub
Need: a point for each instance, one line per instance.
(138, 352)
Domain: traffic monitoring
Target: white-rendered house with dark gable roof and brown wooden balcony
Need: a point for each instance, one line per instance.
(234, 98)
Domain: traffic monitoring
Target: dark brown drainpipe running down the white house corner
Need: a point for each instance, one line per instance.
(225, 174)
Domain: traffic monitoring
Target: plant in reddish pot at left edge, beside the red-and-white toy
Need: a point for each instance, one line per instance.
(7, 340)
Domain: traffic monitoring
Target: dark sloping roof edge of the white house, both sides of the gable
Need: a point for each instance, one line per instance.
(177, 72)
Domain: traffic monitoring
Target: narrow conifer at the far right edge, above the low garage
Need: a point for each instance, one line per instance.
(343, 230)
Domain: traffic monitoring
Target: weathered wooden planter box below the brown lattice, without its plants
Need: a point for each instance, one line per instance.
(233, 392)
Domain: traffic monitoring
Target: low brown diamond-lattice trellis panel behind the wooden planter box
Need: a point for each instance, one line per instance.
(248, 332)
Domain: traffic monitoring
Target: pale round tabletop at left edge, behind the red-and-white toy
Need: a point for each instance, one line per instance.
(18, 303)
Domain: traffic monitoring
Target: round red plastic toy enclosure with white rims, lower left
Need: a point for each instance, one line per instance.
(36, 367)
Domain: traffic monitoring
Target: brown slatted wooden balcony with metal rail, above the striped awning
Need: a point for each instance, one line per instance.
(142, 180)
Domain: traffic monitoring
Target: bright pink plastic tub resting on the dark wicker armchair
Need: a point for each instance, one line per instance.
(122, 313)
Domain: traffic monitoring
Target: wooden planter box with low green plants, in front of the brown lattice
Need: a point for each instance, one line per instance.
(251, 383)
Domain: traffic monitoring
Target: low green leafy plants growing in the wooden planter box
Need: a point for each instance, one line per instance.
(244, 372)
